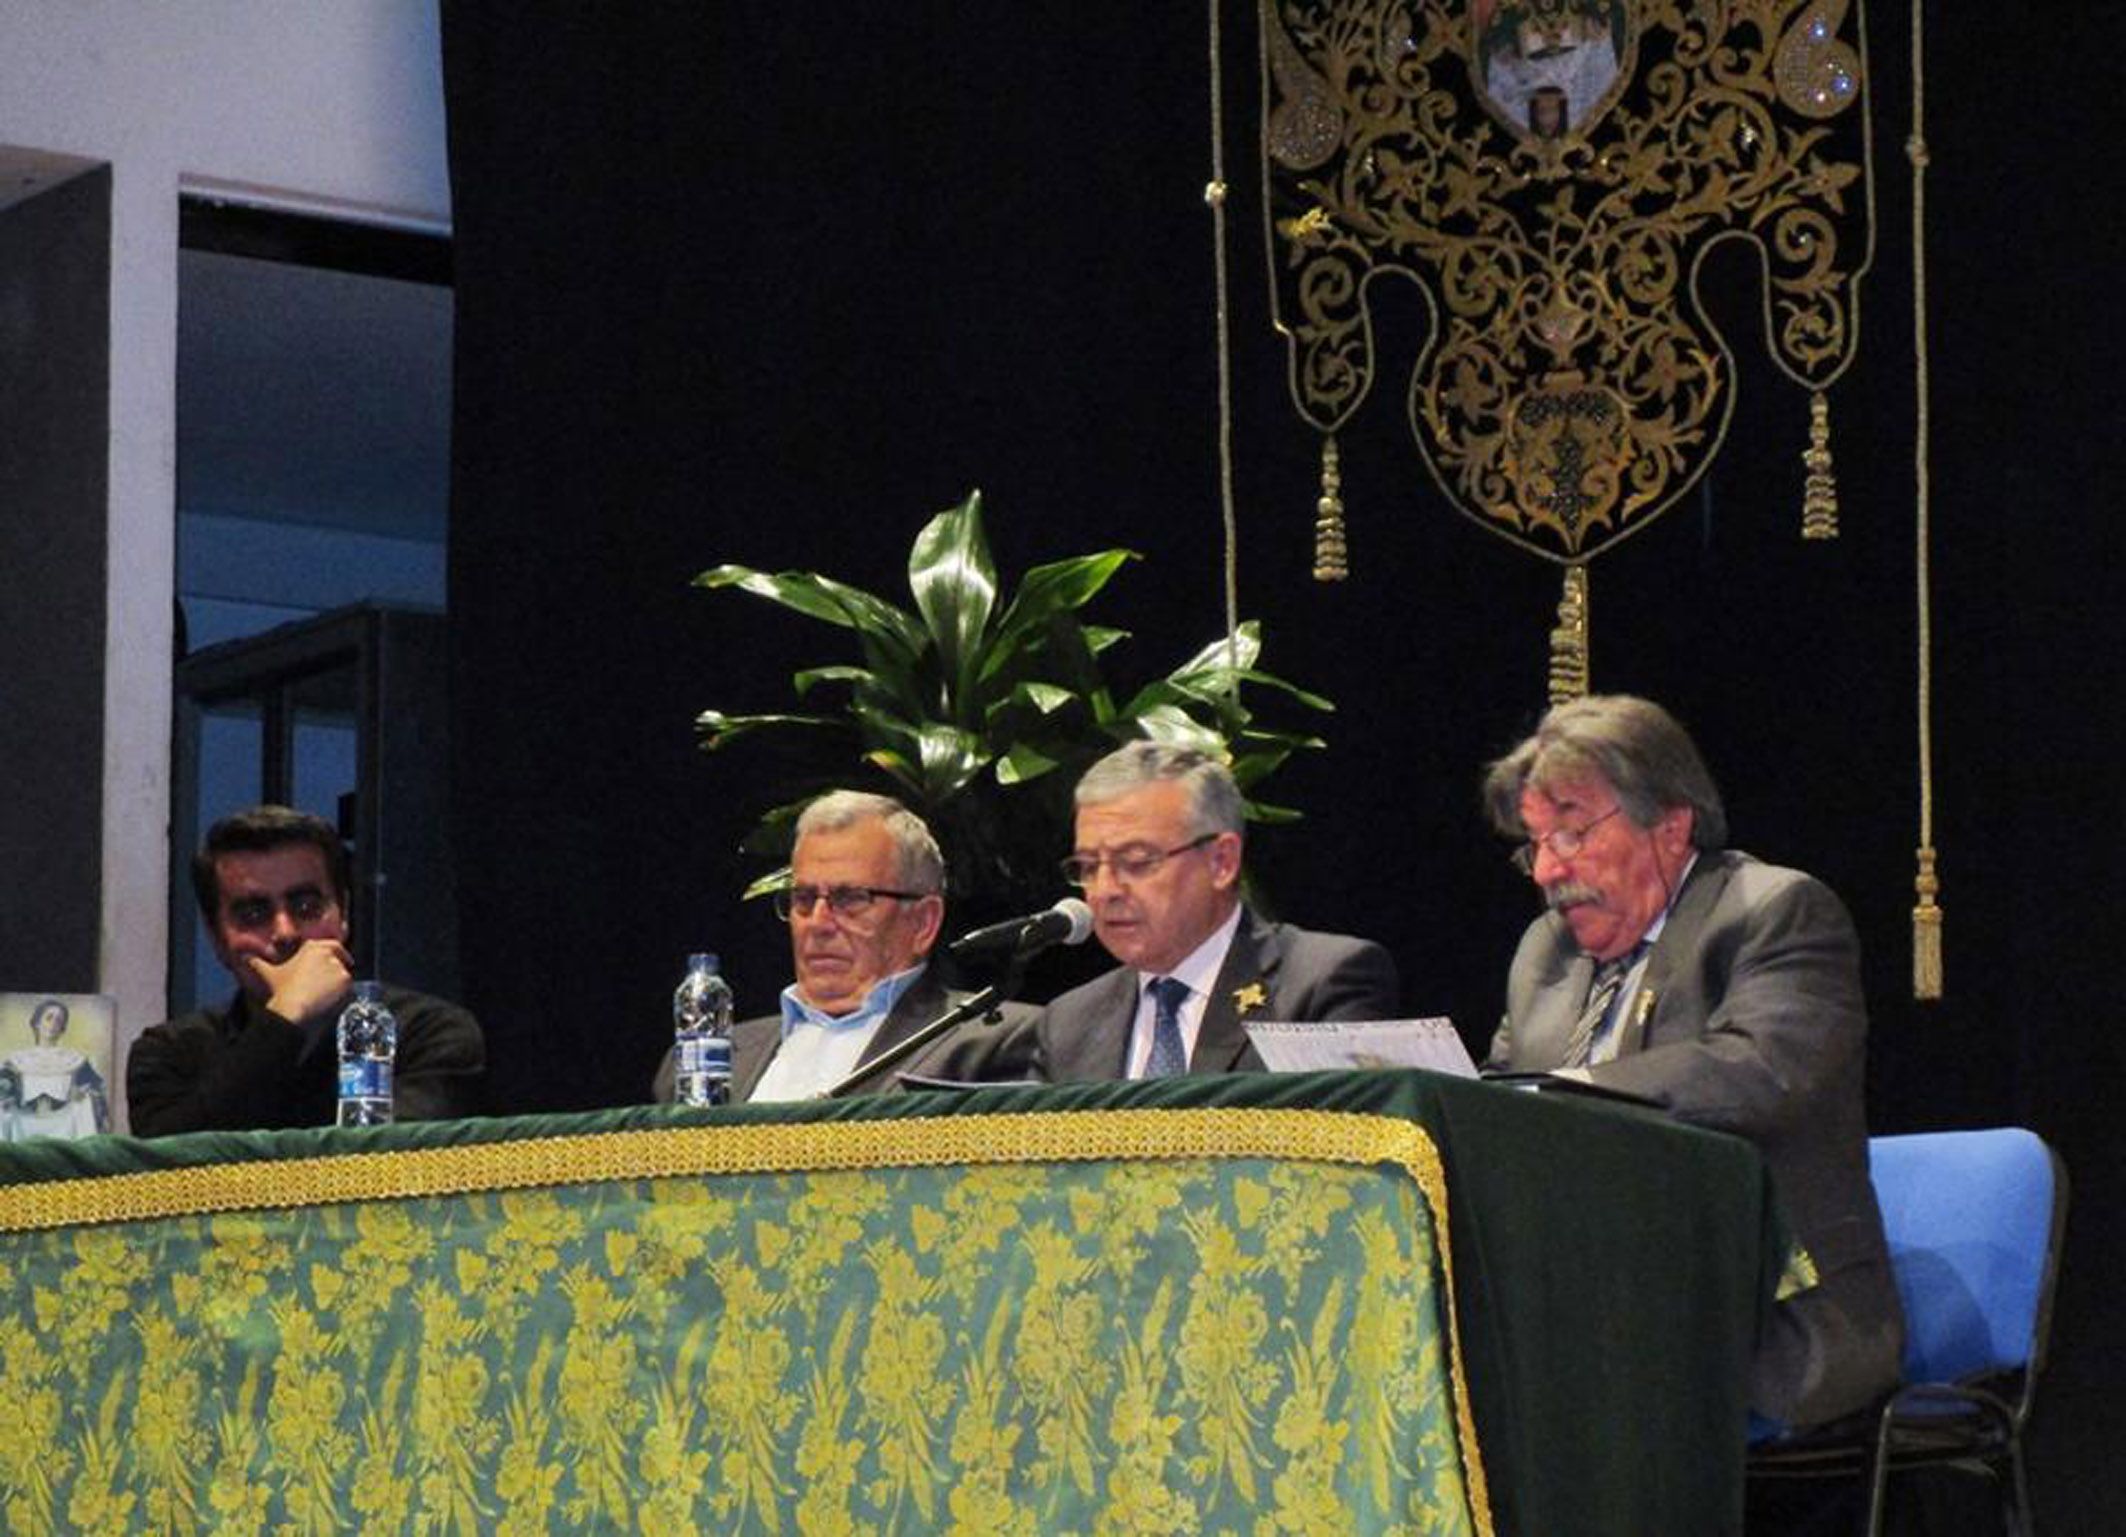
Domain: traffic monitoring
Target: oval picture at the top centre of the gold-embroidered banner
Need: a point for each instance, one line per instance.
(1549, 65)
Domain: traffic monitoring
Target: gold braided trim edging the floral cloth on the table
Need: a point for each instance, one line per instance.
(1319, 1136)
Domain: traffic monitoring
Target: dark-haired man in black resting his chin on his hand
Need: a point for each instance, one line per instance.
(273, 888)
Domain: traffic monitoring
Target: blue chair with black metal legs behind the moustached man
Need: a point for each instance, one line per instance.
(1974, 1223)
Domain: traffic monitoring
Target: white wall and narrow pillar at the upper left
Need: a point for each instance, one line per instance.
(331, 105)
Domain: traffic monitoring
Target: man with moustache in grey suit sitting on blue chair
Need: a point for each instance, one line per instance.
(1719, 987)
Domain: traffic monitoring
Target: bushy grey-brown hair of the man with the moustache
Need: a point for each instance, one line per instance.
(1634, 745)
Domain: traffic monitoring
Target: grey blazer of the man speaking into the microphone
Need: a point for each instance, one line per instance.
(1272, 973)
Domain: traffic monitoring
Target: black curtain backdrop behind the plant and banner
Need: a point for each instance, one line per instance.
(775, 284)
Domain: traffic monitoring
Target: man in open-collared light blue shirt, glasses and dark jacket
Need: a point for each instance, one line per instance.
(864, 911)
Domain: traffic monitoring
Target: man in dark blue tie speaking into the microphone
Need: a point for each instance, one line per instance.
(1158, 856)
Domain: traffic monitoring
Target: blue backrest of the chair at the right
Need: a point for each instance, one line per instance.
(1974, 1223)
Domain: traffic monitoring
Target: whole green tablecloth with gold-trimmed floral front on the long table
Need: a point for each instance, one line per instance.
(1185, 1306)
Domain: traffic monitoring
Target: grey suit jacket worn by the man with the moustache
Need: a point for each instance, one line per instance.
(1751, 1019)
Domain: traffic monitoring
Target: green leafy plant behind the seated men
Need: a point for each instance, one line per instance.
(981, 709)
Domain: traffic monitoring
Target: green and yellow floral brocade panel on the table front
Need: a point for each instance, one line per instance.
(1209, 1345)
